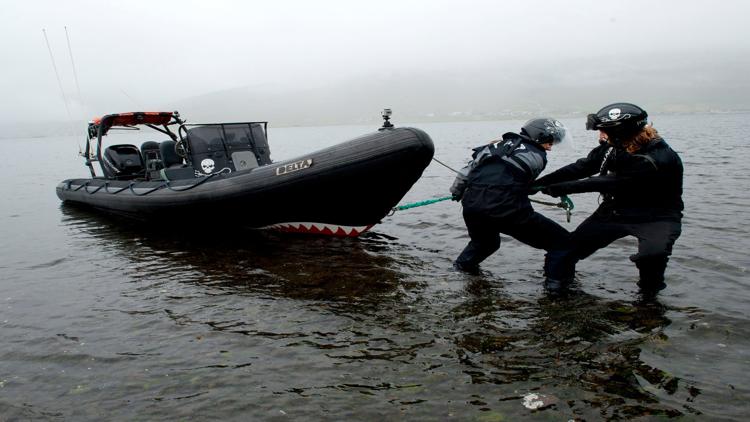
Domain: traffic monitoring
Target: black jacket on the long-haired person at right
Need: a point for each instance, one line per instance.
(644, 185)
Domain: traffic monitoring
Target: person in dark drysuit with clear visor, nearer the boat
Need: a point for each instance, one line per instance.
(496, 200)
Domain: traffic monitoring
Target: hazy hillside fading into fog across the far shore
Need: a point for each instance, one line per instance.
(677, 83)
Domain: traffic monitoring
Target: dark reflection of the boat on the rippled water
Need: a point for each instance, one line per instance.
(243, 260)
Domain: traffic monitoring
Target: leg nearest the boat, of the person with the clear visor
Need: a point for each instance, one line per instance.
(485, 240)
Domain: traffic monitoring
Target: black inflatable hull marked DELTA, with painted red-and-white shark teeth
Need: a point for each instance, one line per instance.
(342, 190)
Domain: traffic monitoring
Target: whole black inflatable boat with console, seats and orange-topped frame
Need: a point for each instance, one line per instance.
(217, 173)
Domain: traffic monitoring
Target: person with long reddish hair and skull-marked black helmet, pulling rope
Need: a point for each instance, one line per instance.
(640, 179)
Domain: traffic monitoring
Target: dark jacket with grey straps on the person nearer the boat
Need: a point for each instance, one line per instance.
(498, 186)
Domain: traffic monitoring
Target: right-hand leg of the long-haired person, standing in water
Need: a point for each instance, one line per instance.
(655, 241)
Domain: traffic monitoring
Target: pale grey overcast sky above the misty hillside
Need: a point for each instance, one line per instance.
(149, 54)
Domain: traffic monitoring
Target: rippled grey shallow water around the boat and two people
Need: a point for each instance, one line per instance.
(103, 319)
